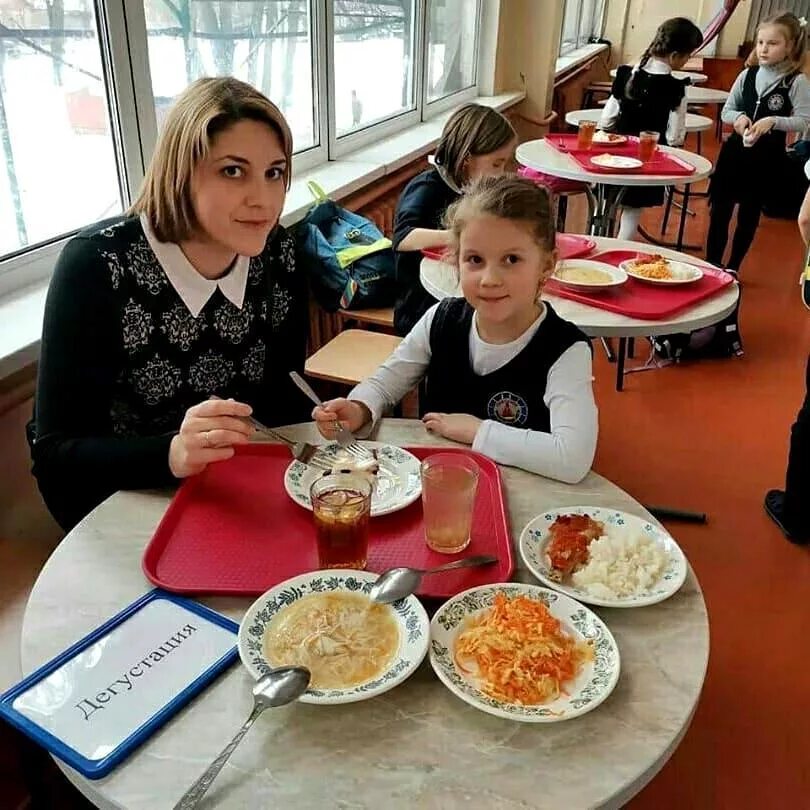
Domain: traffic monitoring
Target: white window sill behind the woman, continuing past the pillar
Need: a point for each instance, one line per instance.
(21, 312)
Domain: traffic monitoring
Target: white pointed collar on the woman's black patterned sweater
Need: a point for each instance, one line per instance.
(194, 289)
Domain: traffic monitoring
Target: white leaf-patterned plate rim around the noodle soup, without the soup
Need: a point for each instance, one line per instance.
(414, 631)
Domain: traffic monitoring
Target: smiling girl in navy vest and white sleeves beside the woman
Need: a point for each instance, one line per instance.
(505, 373)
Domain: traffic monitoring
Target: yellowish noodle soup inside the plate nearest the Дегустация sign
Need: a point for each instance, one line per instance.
(344, 639)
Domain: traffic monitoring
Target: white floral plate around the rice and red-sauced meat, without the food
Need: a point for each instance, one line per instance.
(535, 537)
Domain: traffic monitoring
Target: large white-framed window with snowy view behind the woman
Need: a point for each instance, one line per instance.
(104, 74)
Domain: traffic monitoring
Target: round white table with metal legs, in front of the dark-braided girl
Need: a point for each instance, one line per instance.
(609, 187)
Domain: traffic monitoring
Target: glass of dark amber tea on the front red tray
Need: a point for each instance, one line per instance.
(341, 505)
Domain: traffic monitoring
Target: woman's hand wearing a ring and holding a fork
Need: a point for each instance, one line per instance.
(208, 433)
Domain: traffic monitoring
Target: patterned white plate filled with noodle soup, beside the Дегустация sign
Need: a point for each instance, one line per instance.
(325, 621)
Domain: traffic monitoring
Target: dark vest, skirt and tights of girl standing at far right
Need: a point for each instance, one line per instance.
(747, 175)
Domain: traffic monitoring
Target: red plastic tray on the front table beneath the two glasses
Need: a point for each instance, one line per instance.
(234, 530)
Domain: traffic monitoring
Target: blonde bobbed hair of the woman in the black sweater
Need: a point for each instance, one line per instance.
(203, 110)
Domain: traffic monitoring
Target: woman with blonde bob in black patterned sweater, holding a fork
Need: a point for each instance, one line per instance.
(193, 294)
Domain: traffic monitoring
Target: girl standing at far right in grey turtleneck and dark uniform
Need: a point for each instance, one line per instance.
(770, 98)
